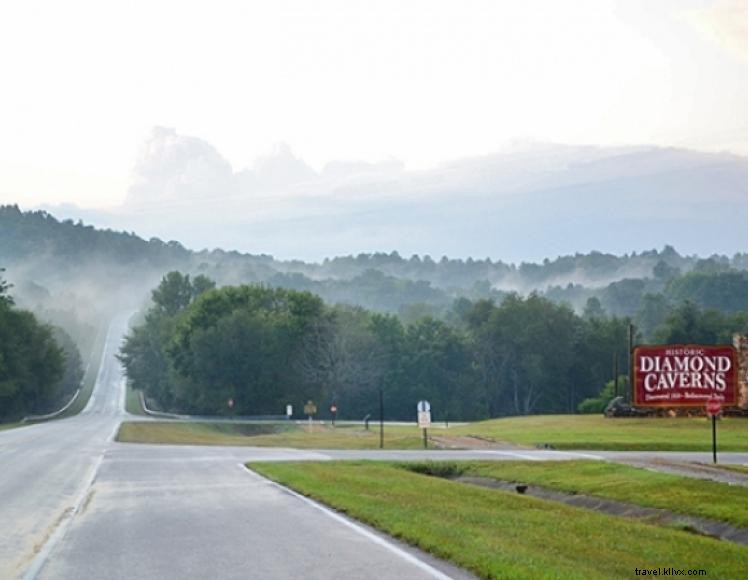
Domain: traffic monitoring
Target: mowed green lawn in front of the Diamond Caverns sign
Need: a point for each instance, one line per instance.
(597, 432)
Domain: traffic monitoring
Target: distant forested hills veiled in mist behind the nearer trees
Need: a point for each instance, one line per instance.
(42, 254)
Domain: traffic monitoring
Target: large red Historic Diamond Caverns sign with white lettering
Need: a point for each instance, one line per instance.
(684, 375)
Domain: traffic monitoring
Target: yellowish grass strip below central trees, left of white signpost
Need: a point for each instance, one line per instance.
(280, 435)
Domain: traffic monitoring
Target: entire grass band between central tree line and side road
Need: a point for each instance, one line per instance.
(560, 431)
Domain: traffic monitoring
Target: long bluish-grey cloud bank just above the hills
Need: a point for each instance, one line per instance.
(528, 202)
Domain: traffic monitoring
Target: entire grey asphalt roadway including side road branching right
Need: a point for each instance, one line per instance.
(75, 504)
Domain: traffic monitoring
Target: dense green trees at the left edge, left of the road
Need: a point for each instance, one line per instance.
(39, 365)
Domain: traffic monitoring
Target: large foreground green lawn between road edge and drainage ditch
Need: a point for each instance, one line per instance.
(501, 535)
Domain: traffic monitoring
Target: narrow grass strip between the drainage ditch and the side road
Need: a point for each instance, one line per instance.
(688, 496)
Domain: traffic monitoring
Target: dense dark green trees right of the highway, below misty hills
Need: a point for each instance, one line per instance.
(251, 349)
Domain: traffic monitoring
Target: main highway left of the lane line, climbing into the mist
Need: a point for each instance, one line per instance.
(45, 466)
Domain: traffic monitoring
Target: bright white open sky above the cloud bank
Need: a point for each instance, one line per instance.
(421, 82)
